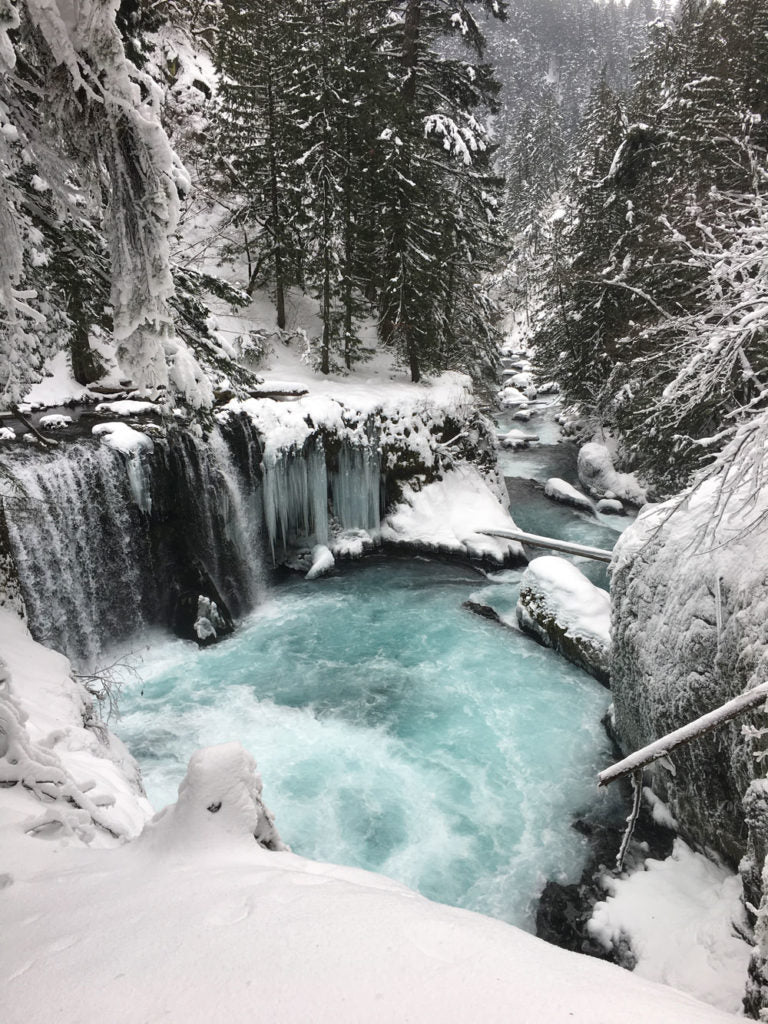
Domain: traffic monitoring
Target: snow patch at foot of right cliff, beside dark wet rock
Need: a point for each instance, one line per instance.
(680, 917)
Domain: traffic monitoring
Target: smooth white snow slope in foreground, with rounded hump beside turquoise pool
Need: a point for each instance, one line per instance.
(196, 920)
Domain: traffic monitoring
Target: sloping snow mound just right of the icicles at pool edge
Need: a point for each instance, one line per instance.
(445, 517)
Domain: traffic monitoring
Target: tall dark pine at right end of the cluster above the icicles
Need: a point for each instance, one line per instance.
(433, 151)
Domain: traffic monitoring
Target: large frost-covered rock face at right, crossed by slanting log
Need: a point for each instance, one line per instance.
(690, 632)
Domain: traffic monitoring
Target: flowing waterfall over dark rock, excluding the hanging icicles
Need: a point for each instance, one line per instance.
(107, 543)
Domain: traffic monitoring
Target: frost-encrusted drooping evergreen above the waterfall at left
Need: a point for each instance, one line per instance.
(81, 114)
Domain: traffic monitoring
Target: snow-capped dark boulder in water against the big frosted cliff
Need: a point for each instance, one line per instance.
(561, 609)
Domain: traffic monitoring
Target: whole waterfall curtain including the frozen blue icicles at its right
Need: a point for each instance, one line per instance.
(108, 543)
